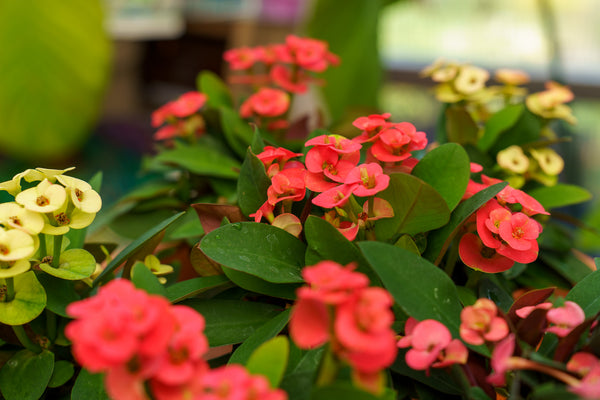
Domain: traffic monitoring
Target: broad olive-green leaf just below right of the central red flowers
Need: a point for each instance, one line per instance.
(418, 207)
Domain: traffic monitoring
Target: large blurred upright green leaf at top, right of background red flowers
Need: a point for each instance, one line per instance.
(356, 81)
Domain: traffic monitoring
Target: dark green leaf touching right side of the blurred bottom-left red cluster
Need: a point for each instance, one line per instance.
(232, 321)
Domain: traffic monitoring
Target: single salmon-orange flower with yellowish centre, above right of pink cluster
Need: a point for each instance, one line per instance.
(480, 323)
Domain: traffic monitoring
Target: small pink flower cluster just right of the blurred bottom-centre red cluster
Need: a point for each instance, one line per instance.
(431, 345)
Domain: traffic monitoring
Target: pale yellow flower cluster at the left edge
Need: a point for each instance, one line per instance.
(53, 206)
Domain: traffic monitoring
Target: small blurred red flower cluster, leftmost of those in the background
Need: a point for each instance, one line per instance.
(180, 116)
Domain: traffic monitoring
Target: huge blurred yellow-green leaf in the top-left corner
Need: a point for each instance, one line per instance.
(53, 76)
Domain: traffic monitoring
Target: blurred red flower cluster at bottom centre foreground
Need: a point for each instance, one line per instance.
(338, 306)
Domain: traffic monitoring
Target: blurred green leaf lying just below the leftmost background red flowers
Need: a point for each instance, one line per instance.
(200, 159)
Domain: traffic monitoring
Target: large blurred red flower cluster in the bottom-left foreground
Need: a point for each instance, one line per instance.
(141, 340)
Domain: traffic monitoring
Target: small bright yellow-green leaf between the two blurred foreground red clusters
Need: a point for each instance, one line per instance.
(270, 359)
